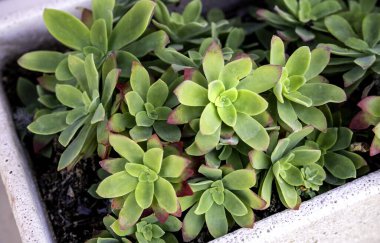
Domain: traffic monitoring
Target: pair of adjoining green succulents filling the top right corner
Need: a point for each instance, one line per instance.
(347, 28)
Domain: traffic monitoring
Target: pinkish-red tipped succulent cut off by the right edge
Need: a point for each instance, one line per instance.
(369, 116)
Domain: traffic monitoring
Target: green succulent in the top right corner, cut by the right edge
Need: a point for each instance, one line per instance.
(357, 42)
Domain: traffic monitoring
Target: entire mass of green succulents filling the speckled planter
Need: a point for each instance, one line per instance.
(191, 131)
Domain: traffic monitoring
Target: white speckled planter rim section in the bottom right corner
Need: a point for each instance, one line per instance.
(350, 213)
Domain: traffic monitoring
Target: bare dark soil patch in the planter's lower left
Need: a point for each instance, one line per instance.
(74, 213)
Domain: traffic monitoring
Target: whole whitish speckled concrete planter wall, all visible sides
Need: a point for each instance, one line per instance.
(350, 213)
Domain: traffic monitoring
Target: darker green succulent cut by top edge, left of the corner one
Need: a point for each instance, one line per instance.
(295, 19)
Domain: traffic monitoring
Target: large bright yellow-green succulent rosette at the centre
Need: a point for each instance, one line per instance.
(225, 97)
